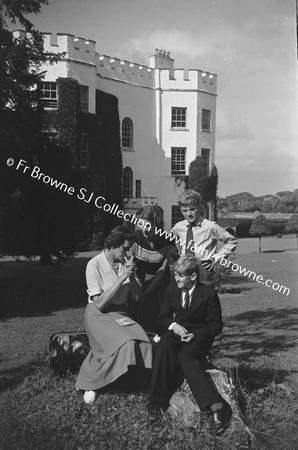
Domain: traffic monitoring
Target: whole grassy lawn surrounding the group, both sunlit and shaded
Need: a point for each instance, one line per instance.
(259, 345)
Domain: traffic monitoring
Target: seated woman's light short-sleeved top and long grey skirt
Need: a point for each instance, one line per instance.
(113, 347)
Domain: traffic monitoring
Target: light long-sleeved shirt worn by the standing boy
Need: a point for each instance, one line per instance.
(206, 234)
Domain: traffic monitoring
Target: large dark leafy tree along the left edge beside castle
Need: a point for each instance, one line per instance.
(24, 206)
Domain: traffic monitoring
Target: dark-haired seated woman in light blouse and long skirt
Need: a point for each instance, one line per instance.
(116, 341)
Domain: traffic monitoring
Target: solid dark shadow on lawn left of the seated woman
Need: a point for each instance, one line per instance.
(28, 289)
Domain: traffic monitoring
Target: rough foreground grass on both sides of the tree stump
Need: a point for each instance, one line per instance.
(44, 412)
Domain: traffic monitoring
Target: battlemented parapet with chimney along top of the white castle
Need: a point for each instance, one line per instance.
(160, 72)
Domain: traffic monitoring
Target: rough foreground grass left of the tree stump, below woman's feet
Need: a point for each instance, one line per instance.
(45, 412)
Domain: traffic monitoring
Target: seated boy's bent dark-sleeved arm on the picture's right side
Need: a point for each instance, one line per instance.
(213, 324)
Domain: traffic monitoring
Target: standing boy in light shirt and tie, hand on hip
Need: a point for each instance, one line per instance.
(198, 236)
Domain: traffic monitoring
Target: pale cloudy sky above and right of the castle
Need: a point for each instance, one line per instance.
(251, 46)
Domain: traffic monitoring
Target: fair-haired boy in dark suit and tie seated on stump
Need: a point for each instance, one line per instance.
(190, 319)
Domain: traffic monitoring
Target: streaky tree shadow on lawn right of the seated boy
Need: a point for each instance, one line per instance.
(258, 333)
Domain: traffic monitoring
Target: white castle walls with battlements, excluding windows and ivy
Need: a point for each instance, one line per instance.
(146, 95)
